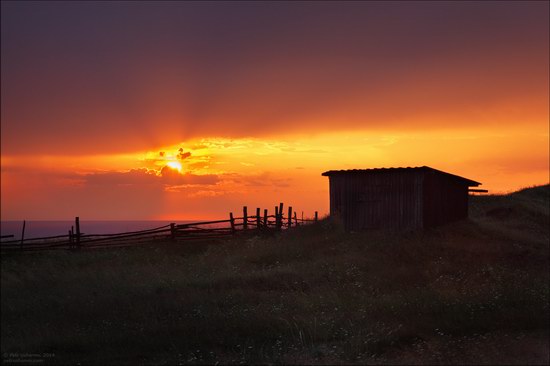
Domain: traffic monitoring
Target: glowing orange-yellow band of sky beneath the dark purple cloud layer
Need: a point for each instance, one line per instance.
(219, 175)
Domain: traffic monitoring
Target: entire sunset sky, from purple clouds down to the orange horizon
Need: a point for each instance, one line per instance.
(189, 110)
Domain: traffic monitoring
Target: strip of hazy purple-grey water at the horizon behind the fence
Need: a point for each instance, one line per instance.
(35, 229)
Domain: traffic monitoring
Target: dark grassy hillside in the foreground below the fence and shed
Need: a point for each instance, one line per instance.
(473, 292)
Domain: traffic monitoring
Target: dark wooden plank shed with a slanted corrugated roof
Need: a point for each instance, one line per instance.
(397, 198)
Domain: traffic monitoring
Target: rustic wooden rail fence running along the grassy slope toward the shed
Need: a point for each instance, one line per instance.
(195, 231)
